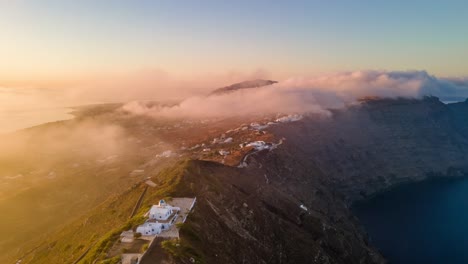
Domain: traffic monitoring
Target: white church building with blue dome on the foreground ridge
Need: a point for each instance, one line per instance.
(160, 218)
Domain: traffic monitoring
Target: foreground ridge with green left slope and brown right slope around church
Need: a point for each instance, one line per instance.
(239, 207)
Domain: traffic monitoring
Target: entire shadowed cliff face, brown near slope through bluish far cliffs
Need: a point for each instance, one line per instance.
(291, 205)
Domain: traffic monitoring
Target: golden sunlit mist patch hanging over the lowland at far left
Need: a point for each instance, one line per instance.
(83, 140)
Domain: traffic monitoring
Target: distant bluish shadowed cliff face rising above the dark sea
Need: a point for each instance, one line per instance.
(368, 148)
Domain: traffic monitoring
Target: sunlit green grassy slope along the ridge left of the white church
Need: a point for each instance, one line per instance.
(100, 229)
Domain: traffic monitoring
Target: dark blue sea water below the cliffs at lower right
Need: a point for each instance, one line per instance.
(420, 223)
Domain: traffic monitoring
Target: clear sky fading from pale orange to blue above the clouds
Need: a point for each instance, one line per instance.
(59, 40)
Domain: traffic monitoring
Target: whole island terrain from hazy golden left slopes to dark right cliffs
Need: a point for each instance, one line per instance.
(270, 188)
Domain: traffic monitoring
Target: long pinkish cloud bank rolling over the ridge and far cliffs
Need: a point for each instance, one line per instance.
(313, 94)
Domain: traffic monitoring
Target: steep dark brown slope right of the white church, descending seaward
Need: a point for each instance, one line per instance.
(253, 215)
